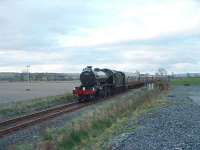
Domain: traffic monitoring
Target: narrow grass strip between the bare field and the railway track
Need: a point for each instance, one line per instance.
(19, 108)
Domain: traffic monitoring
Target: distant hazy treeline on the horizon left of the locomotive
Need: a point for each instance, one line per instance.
(38, 76)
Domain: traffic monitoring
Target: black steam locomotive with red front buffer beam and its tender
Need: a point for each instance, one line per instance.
(105, 82)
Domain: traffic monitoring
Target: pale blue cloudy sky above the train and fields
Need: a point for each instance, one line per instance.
(129, 35)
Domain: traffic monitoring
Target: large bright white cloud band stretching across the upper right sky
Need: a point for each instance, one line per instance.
(139, 22)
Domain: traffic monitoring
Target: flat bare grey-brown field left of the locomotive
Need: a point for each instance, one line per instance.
(16, 91)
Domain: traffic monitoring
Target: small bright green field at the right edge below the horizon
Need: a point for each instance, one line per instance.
(186, 81)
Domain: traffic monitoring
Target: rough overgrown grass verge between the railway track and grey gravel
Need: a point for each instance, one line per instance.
(94, 129)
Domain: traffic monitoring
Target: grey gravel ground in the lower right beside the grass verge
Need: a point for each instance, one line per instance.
(175, 127)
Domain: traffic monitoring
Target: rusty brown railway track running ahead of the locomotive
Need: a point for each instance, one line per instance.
(10, 126)
